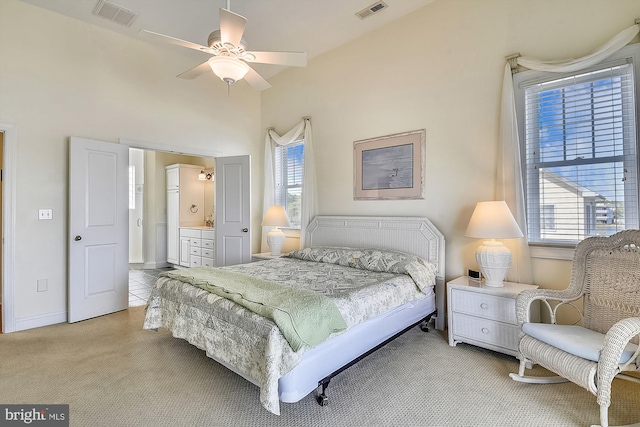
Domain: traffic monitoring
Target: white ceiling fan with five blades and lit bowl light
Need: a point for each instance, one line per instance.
(229, 55)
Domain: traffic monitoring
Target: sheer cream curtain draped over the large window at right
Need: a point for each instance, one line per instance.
(509, 184)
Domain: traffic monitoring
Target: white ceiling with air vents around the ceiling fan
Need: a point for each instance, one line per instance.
(311, 26)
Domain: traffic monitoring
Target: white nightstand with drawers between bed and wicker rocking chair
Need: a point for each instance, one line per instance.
(485, 316)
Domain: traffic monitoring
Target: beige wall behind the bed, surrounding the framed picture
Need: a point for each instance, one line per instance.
(438, 69)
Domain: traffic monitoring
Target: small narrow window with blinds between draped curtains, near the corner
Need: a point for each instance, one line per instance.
(289, 167)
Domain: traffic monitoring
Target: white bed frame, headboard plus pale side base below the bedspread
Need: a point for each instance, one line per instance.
(413, 235)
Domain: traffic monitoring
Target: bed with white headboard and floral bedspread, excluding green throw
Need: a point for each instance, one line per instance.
(406, 289)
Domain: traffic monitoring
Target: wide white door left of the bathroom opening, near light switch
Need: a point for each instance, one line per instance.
(98, 228)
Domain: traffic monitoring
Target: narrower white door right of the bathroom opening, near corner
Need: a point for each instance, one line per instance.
(233, 210)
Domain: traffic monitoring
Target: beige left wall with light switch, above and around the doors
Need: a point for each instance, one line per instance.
(60, 77)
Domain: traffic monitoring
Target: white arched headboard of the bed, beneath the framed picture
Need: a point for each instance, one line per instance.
(414, 235)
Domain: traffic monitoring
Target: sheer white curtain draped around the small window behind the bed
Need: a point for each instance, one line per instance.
(308, 179)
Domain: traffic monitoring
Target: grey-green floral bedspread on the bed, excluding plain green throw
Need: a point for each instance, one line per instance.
(252, 345)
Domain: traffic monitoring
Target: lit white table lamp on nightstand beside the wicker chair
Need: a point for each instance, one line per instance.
(493, 220)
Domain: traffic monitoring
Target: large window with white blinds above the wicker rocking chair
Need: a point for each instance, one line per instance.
(579, 151)
